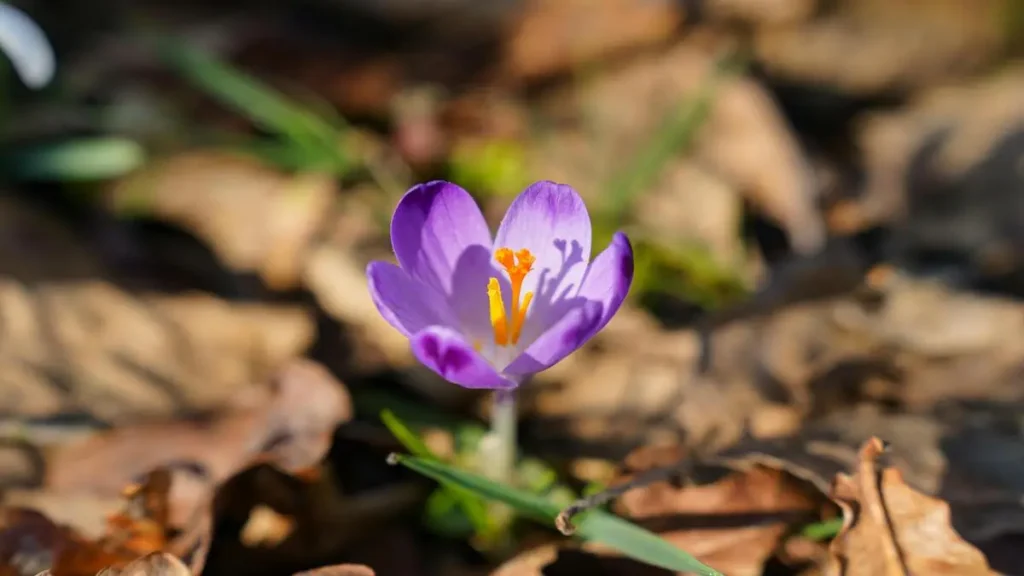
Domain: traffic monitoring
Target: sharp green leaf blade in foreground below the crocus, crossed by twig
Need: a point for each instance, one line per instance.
(596, 526)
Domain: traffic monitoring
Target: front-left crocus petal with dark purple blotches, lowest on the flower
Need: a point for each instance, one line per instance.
(447, 353)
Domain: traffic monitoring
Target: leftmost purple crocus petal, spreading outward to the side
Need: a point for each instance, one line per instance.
(406, 304)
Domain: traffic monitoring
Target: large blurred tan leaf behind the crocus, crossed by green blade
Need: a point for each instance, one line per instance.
(744, 149)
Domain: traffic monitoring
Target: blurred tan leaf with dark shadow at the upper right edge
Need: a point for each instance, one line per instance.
(930, 167)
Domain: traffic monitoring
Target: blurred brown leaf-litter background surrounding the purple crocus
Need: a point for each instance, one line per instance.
(826, 199)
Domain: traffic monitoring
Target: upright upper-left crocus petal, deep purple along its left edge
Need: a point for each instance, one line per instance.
(433, 228)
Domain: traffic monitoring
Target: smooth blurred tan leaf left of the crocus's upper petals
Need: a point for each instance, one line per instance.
(253, 218)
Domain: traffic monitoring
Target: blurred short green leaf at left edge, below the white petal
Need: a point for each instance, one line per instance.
(78, 160)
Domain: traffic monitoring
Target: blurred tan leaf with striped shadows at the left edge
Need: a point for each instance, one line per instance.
(93, 348)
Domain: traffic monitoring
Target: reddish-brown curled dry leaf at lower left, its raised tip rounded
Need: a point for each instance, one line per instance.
(289, 424)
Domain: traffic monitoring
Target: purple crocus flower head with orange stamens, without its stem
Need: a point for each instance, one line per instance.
(488, 312)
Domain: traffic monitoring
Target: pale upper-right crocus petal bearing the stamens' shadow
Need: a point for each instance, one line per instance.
(551, 221)
